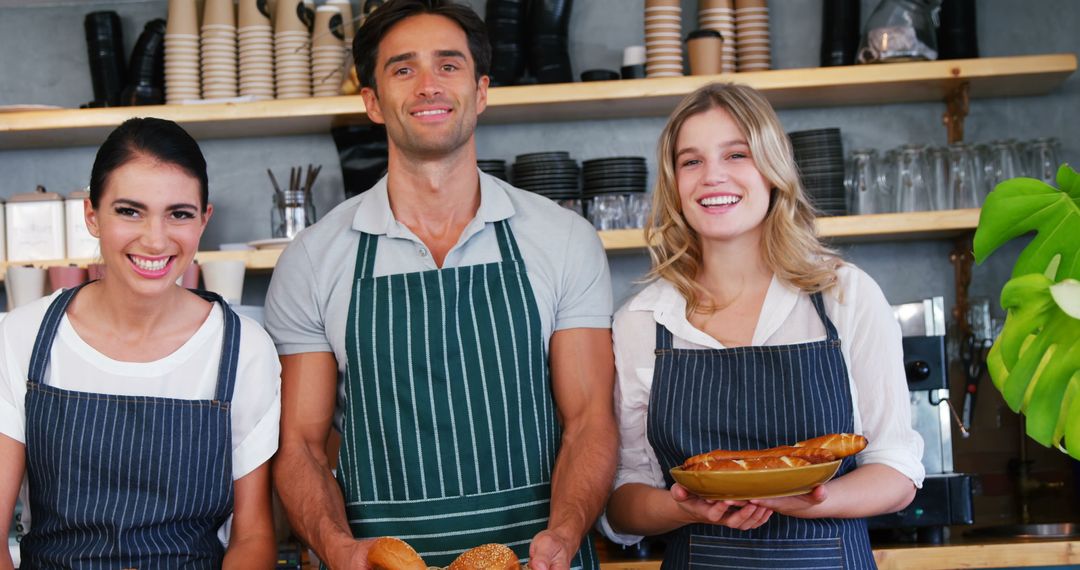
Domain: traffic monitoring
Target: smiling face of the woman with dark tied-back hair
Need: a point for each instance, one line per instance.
(150, 222)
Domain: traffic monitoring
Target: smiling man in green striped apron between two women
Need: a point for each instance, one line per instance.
(455, 330)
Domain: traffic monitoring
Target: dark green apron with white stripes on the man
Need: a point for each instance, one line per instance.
(450, 432)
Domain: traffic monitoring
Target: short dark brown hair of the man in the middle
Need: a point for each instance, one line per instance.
(366, 46)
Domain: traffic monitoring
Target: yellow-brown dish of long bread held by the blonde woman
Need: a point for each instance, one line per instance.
(782, 471)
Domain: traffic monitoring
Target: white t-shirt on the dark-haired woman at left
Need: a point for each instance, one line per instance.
(191, 373)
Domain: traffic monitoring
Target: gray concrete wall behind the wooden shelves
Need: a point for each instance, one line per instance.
(57, 74)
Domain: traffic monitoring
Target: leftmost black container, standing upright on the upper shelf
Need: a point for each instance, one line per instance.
(105, 51)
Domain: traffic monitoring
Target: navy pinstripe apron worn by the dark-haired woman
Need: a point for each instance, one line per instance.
(127, 482)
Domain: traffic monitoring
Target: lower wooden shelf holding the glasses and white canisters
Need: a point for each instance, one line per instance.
(879, 227)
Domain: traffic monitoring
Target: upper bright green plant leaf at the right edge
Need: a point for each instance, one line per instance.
(1021, 206)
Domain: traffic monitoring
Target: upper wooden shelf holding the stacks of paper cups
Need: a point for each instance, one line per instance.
(828, 87)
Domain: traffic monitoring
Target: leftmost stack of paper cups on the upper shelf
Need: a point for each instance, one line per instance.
(182, 52)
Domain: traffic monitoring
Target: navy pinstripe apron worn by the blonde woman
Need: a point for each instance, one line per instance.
(753, 398)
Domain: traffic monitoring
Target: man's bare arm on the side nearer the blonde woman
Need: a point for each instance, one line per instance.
(583, 377)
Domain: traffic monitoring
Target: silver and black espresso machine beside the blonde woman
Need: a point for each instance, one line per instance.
(946, 498)
